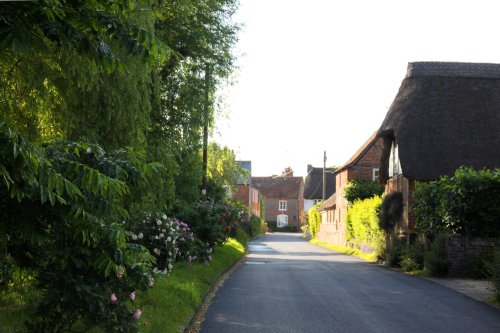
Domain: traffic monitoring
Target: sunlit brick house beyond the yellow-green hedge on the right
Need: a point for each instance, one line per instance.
(364, 164)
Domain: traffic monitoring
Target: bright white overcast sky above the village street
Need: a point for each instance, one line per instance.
(320, 75)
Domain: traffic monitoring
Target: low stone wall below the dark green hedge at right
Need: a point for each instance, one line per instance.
(462, 251)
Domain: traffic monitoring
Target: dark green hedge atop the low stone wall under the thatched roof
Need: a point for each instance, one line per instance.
(465, 204)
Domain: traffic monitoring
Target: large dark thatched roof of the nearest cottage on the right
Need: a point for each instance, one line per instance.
(445, 115)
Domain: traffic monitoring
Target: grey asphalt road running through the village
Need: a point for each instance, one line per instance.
(286, 284)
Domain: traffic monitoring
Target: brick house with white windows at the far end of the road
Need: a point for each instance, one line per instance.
(282, 198)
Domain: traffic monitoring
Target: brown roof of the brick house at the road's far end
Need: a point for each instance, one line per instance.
(278, 187)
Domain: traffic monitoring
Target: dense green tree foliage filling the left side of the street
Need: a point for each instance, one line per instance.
(101, 113)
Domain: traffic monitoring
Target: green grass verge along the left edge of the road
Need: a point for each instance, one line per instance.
(173, 300)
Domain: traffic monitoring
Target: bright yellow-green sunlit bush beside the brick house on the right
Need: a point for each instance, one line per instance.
(362, 224)
